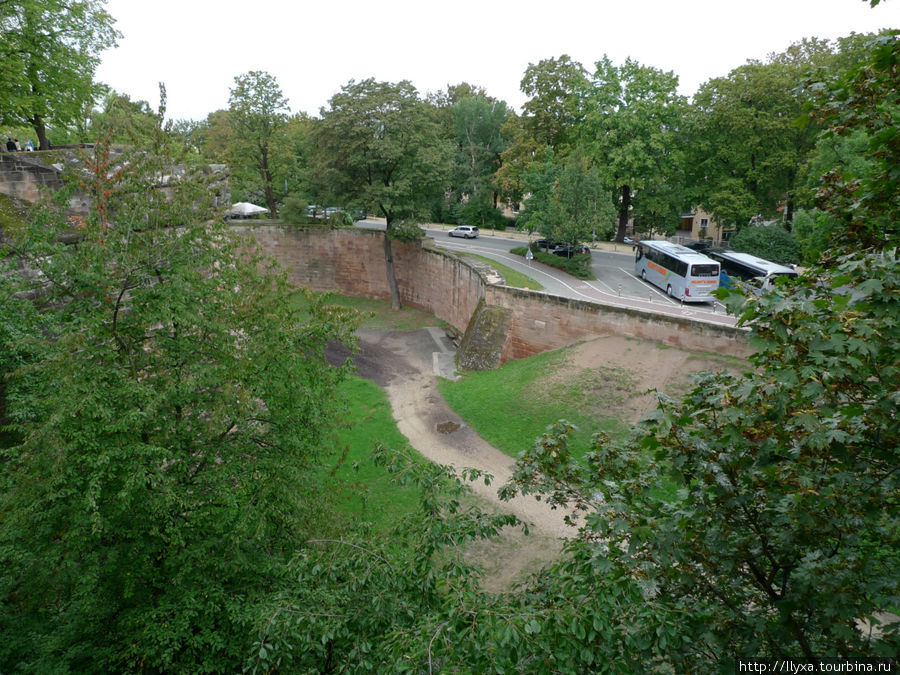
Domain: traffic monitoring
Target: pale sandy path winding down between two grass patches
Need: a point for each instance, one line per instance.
(403, 363)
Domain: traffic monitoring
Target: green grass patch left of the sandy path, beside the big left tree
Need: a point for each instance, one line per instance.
(361, 490)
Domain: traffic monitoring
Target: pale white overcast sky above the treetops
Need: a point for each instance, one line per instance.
(197, 47)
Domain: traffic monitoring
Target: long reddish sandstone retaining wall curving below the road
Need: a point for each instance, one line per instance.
(433, 280)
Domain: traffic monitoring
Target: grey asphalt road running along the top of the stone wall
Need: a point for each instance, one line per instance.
(615, 283)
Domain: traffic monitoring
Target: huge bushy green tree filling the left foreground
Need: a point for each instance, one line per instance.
(158, 482)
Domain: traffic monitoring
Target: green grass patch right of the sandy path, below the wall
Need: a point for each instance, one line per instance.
(512, 406)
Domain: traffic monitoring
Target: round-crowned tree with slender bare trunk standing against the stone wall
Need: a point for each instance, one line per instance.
(379, 146)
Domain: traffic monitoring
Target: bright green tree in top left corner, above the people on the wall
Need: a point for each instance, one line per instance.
(49, 52)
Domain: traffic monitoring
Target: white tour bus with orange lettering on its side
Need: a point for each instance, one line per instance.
(681, 272)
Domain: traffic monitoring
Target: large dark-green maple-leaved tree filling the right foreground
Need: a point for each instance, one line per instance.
(758, 516)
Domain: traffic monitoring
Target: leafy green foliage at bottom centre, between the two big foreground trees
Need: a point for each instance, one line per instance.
(398, 605)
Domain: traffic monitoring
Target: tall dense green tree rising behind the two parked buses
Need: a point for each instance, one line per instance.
(747, 151)
